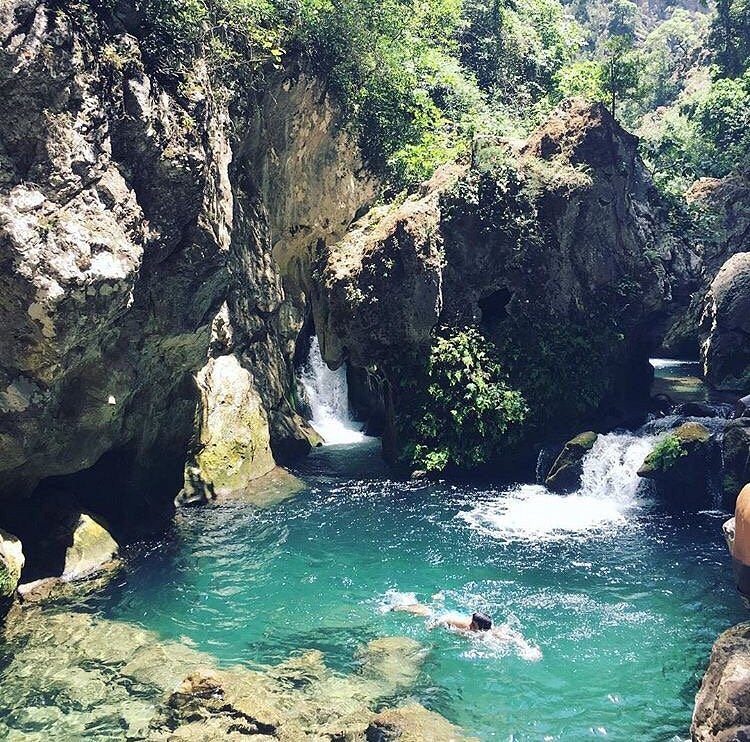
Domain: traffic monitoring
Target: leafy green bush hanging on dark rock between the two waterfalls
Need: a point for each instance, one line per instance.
(465, 409)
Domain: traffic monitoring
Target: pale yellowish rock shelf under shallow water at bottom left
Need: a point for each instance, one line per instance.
(66, 674)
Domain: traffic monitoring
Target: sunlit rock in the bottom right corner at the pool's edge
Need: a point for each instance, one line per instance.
(722, 706)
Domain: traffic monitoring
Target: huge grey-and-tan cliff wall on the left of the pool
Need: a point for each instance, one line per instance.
(149, 236)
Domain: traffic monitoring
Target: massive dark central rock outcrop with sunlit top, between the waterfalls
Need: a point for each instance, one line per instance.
(554, 250)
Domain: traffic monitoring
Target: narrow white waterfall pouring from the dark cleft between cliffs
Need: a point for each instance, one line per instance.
(328, 396)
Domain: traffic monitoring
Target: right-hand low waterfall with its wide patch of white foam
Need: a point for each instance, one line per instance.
(608, 491)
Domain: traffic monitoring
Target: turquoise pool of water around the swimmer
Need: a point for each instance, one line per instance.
(621, 598)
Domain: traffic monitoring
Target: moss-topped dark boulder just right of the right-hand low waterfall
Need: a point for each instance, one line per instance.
(681, 463)
